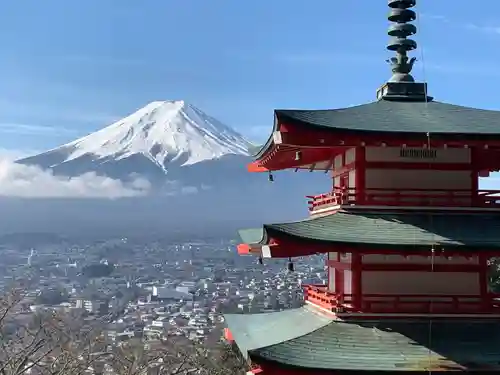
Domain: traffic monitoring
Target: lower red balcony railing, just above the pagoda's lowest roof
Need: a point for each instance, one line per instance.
(405, 303)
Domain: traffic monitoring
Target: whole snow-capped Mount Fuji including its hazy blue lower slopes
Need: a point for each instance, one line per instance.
(195, 164)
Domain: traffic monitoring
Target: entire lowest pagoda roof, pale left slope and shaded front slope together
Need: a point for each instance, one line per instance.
(320, 342)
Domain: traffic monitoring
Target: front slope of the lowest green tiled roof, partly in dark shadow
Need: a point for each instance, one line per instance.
(397, 345)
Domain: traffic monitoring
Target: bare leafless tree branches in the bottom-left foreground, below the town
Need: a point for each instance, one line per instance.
(54, 343)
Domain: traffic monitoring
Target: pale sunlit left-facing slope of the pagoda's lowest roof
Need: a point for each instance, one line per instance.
(257, 330)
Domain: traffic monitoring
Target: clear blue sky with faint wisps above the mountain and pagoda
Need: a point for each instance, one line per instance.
(71, 67)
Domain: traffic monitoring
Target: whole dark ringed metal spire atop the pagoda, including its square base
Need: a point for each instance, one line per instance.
(402, 86)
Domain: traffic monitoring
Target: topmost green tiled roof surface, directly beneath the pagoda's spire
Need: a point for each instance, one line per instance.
(401, 117)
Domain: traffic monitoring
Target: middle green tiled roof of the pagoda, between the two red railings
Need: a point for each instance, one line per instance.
(386, 229)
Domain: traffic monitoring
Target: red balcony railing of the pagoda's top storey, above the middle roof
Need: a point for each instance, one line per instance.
(405, 197)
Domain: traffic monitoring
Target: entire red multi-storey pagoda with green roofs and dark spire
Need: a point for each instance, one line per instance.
(407, 233)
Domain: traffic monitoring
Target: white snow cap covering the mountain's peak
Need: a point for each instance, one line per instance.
(164, 132)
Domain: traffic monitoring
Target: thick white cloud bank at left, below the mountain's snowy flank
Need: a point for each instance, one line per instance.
(18, 180)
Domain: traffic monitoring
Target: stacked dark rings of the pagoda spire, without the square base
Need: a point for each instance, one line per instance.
(399, 32)
